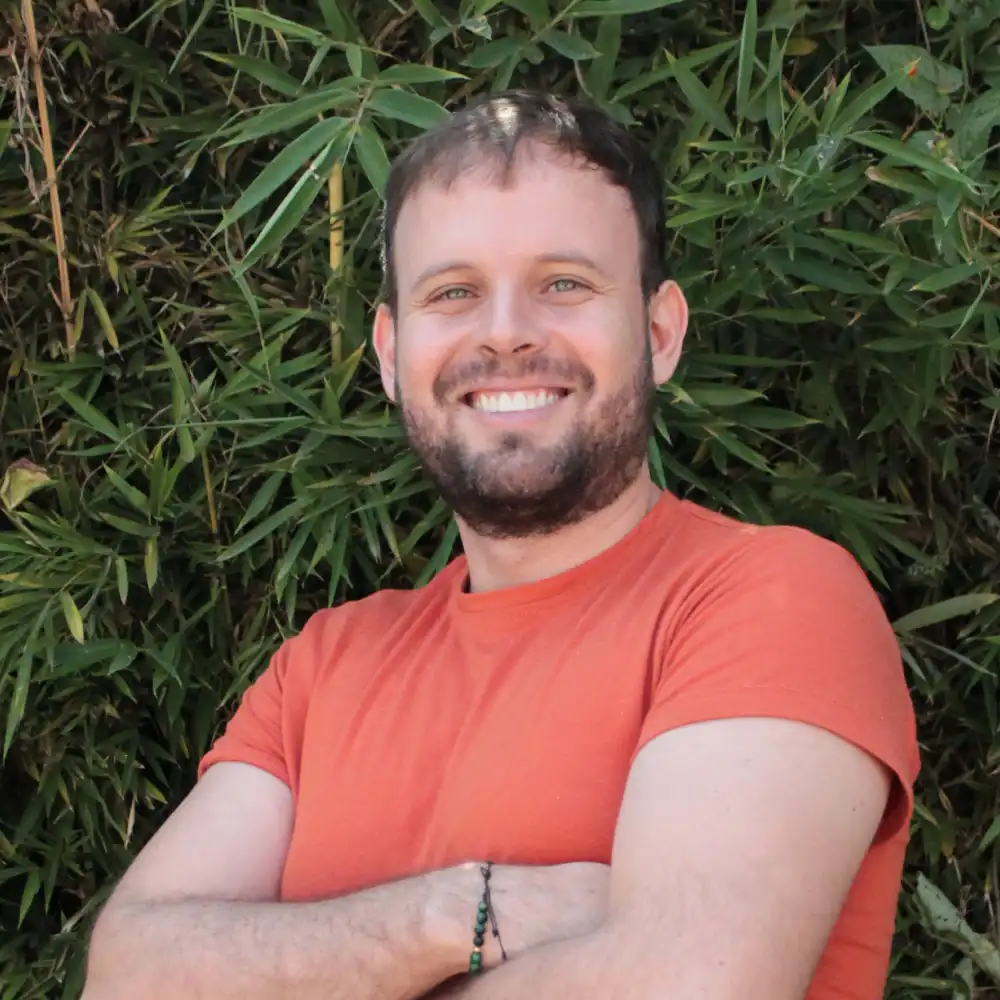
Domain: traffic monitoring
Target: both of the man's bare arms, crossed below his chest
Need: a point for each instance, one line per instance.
(737, 843)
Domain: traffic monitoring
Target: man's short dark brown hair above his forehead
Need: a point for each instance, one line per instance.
(493, 127)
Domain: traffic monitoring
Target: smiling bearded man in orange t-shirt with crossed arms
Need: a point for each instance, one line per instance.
(685, 743)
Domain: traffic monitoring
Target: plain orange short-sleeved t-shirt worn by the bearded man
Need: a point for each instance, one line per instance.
(420, 729)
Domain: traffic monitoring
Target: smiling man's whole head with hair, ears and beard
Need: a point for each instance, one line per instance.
(526, 321)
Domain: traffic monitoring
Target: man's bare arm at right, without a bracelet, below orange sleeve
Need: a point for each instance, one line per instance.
(700, 906)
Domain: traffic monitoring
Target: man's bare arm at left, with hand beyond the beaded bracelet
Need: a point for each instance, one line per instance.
(197, 913)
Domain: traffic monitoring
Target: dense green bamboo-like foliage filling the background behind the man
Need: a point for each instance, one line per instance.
(200, 455)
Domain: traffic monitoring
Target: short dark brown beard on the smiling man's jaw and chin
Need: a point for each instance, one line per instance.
(520, 490)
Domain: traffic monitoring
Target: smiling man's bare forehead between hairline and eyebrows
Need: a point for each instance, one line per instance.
(485, 217)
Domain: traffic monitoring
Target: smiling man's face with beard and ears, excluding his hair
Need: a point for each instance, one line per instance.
(520, 350)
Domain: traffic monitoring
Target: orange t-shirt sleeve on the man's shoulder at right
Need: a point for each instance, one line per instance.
(786, 625)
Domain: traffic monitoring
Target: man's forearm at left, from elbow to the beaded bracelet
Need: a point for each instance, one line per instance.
(388, 943)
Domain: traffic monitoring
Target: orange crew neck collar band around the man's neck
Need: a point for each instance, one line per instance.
(586, 574)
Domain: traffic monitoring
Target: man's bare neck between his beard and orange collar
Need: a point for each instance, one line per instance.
(510, 562)
